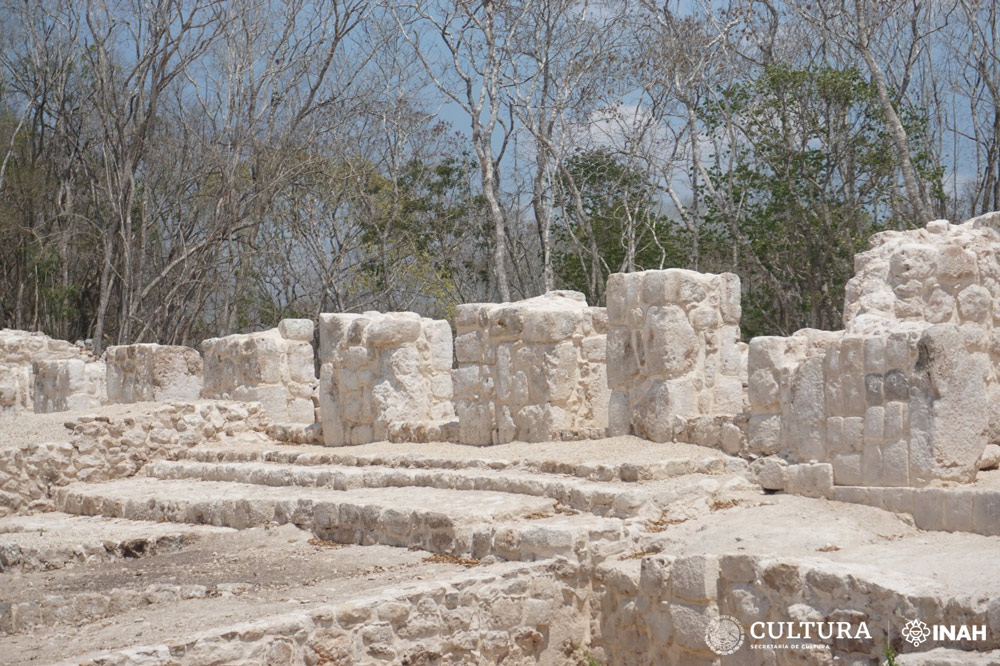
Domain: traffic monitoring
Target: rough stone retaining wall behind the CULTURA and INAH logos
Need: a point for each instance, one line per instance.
(656, 611)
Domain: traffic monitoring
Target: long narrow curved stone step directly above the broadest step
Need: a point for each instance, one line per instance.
(602, 499)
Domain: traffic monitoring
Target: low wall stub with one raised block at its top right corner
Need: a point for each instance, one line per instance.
(274, 367)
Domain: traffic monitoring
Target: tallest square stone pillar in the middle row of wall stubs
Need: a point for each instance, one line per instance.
(675, 360)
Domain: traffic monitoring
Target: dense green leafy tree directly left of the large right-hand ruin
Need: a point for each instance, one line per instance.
(811, 176)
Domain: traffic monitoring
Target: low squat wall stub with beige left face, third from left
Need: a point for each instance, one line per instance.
(156, 373)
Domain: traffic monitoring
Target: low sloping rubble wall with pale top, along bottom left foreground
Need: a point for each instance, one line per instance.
(467, 617)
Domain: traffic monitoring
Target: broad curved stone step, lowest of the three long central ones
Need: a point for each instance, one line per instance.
(466, 523)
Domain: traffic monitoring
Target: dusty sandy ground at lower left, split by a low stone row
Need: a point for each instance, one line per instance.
(250, 574)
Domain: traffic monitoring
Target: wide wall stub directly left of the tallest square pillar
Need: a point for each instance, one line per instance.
(531, 371)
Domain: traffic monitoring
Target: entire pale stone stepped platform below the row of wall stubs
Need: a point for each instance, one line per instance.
(247, 551)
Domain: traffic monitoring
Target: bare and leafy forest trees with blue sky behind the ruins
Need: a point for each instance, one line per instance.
(172, 170)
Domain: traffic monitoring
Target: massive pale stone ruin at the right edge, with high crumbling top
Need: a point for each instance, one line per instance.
(907, 394)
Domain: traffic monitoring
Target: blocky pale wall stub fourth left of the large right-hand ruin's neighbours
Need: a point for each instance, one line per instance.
(385, 376)
